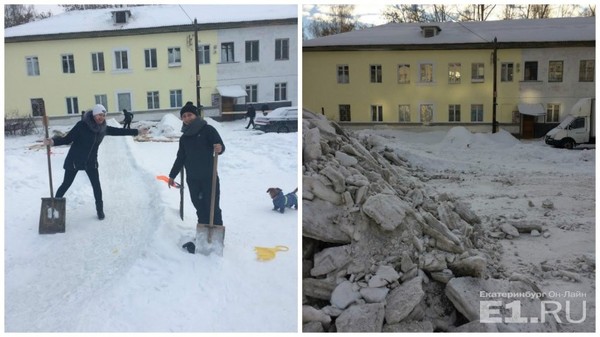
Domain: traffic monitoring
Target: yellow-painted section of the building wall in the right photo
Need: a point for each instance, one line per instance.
(406, 83)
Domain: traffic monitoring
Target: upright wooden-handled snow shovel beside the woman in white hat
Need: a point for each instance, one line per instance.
(52, 214)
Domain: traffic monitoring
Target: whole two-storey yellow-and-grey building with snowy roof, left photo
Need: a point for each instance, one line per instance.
(153, 59)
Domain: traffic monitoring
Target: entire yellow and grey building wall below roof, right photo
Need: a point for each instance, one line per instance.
(322, 93)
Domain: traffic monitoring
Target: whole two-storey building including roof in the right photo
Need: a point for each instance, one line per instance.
(446, 74)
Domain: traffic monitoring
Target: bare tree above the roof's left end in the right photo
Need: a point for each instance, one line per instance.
(340, 20)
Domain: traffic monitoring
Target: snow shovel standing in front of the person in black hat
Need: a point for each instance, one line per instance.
(210, 237)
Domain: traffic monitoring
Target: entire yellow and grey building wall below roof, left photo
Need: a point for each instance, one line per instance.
(54, 86)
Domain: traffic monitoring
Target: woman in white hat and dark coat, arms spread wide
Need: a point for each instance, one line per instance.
(85, 138)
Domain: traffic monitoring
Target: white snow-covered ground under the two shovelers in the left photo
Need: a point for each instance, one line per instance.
(128, 273)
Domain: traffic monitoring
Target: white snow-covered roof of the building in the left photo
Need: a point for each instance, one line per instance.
(95, 20)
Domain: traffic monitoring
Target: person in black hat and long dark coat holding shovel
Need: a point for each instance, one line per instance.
(197, 147)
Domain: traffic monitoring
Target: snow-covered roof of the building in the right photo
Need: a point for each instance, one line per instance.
(535, 30)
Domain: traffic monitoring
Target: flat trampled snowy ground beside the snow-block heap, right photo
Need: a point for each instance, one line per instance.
(505, 179)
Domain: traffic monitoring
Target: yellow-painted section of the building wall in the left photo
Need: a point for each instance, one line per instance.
(54, 86)
